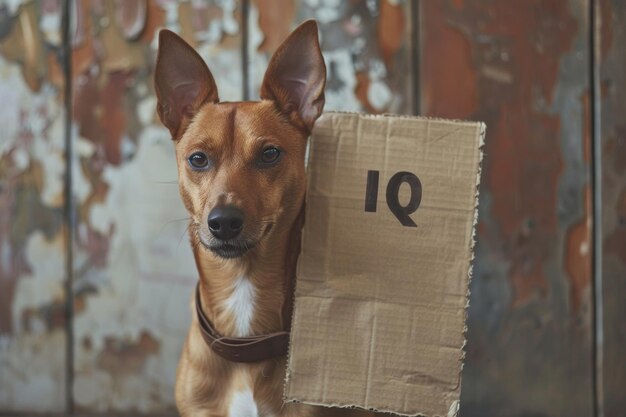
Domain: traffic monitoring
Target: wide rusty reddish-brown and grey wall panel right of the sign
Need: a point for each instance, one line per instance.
(523, 68)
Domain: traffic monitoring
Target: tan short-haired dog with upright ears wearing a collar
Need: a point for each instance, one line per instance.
(242, 179)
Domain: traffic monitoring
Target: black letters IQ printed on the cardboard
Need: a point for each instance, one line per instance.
(401, 212)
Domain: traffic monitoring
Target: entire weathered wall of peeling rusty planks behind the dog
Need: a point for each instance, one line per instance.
(95, 267)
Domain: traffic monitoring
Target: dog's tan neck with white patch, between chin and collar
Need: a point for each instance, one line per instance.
(251, 295)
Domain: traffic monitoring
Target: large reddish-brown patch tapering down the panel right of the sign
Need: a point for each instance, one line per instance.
(525, 210)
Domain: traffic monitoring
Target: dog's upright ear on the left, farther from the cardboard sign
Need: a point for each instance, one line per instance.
(182, 81)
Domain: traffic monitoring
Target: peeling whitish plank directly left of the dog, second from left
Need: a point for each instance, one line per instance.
(133, 272)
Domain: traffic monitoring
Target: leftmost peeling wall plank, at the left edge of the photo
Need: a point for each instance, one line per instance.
(32, 234)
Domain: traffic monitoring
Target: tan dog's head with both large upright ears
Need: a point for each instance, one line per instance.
(241, 164)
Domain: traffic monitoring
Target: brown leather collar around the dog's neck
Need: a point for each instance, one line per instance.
(241, 349)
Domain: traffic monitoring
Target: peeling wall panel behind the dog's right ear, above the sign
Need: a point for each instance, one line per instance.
(366, 46)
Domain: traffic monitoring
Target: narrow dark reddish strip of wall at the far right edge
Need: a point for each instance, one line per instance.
(612, 37)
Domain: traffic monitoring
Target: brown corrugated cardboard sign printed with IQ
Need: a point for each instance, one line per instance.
(383, 276)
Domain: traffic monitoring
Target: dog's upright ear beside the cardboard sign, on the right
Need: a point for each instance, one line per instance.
(296, 76)
